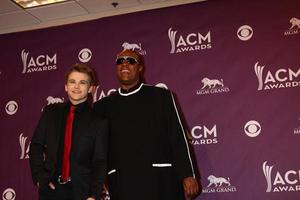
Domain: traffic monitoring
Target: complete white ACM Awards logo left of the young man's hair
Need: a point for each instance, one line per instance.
(37, 64)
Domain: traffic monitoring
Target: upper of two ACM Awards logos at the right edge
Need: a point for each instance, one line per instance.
(281, 78)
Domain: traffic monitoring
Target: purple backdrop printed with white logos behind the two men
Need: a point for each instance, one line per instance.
(233, 65)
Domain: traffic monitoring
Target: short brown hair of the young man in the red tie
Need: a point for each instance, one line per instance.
(83, 68)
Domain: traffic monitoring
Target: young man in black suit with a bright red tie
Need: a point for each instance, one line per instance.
(69, 145)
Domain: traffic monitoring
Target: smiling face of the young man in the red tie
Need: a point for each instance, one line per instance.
(77, 87)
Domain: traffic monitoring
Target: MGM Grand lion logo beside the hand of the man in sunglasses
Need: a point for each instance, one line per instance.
(218, 184)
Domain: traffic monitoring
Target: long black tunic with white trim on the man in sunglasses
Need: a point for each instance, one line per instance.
(148, 151)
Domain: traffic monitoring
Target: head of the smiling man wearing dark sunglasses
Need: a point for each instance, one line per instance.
(128, 71)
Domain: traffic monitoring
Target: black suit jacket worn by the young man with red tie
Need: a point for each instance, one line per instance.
(88, 151)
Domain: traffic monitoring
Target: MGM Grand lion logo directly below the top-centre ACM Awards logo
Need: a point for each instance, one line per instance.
(212, 86)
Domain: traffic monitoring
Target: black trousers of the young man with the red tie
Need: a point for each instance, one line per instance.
(61, 192)
